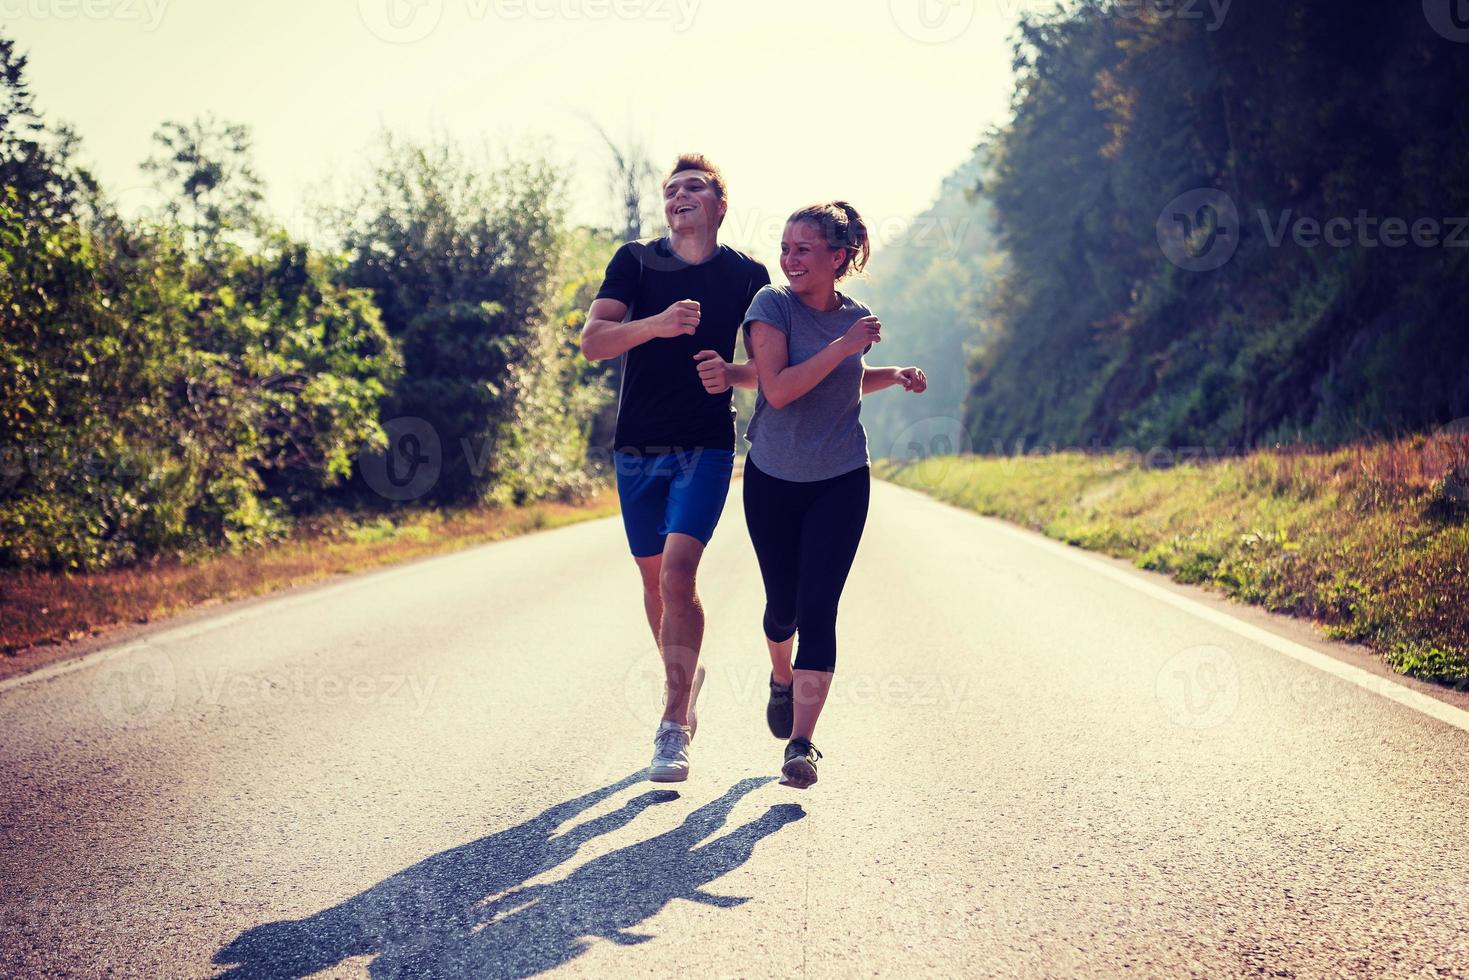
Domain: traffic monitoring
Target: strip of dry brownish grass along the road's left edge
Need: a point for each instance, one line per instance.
(58, 608)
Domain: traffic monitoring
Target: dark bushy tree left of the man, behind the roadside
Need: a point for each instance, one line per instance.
(461, 256)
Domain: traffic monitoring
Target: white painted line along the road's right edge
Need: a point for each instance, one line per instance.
(1365, 680)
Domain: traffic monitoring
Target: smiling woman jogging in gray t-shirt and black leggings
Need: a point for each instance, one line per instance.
(807, 472)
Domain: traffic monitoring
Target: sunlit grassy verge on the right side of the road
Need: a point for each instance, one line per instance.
(1370, 541)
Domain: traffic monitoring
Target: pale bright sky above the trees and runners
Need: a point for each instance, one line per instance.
(797, 101)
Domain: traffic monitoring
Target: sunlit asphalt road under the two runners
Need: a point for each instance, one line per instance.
(1032, 768)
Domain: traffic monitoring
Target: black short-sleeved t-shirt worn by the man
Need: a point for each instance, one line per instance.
(663, 406)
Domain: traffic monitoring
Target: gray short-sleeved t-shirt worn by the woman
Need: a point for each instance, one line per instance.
(817, 436)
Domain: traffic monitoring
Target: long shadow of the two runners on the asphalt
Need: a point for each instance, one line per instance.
(463, 912)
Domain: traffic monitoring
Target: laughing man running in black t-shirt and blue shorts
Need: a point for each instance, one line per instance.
(672, 309)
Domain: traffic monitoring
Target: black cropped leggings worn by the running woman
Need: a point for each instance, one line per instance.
(806, 537)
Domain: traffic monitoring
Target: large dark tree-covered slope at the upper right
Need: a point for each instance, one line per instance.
(1291, 112)
